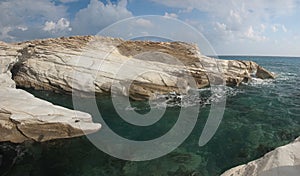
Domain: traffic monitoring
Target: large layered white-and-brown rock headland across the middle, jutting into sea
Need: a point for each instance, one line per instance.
(139, 69)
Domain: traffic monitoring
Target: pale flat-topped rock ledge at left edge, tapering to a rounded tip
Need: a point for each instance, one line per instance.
(25, 117)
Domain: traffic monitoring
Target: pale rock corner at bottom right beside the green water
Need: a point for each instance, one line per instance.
(284, 160)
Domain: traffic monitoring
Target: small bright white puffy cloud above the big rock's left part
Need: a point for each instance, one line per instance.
(61, 26)
